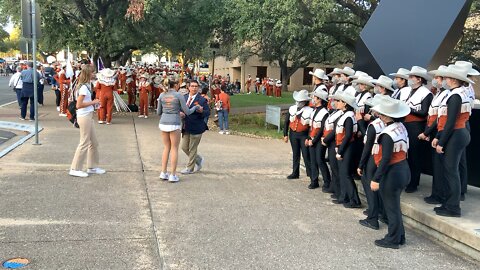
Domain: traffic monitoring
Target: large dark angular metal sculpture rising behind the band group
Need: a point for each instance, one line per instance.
(404, 33)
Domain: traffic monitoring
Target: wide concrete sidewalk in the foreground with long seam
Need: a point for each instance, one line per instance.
(239, 212)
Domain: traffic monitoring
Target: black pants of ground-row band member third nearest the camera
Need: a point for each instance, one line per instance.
(349, 190)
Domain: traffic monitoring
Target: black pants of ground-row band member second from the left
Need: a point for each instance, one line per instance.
(318, 163)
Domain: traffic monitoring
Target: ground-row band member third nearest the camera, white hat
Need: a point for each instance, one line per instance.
(345, 131)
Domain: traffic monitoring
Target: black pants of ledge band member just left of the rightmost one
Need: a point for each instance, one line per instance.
(416, 151)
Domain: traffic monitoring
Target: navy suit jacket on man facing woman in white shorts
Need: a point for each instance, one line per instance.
(194, 123)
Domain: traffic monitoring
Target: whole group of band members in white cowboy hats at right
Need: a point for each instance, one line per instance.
(382, 130)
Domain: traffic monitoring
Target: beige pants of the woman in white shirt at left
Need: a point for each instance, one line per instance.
(88, 146)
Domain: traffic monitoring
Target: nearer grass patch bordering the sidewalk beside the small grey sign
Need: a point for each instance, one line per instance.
(253, 124)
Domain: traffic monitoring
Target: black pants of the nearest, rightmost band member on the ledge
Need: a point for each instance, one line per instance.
(453, 150)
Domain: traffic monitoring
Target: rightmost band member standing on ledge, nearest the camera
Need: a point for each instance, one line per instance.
(453, 137)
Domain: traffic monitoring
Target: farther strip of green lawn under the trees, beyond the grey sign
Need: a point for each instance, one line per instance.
(252, 100)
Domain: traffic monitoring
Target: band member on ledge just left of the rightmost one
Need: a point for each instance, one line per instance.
(419, 101)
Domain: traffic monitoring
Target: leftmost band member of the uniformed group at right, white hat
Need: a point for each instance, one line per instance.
(297, 123)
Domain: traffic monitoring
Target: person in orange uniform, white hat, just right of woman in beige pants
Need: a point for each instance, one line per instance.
(106, 84)
